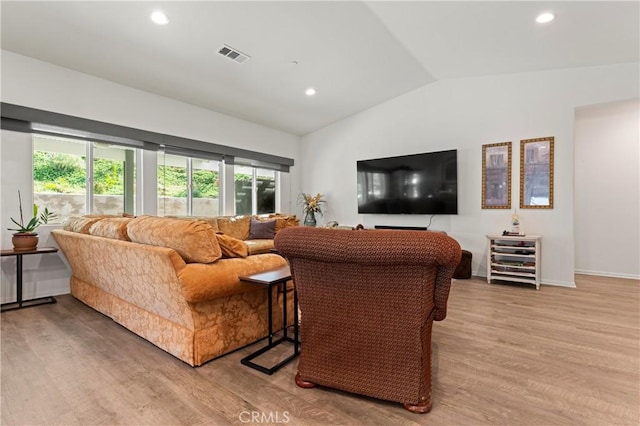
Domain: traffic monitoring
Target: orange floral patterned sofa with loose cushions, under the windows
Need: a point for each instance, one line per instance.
(174, 281)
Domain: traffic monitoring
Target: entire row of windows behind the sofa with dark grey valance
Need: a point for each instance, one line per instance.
(65, 158)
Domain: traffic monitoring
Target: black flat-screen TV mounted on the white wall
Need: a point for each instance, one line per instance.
(409, 184)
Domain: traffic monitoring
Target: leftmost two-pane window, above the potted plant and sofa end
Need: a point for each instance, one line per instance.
(62, 167)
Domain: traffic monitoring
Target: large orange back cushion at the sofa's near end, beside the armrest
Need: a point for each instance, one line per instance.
(194, 240)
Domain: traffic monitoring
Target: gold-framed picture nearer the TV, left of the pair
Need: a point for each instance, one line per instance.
(496, 176)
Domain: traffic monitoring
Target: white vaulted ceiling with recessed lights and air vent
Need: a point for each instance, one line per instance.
(355, 54)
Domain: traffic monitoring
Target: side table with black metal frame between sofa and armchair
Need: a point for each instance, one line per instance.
(269, 279)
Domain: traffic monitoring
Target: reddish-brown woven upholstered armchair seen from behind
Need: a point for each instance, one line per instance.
(368, 299)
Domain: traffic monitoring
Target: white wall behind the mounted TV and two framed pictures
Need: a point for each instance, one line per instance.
(465, 114)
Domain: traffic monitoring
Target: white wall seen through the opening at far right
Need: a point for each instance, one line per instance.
(607, 200)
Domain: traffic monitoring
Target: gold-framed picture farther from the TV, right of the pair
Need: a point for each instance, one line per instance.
(536, 173)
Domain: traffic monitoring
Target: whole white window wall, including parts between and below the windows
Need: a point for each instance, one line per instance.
(36, 84)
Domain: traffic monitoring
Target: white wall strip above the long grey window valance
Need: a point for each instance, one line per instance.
(36, 84)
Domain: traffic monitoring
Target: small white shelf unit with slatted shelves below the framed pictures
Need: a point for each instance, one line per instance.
(514, 258)
